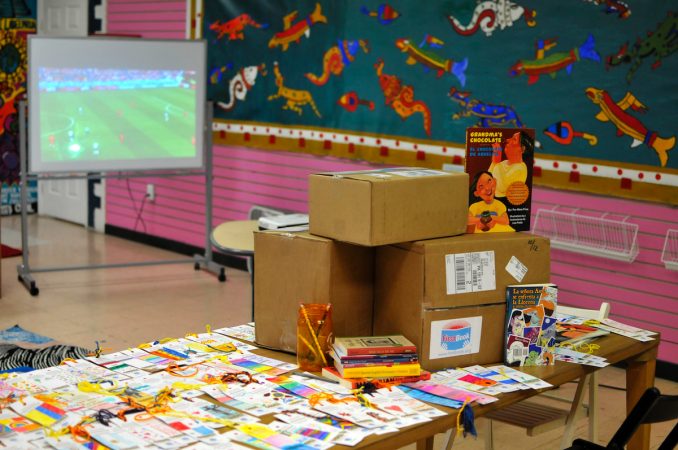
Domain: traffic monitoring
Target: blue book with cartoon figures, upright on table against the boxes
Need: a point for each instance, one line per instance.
(531, 324)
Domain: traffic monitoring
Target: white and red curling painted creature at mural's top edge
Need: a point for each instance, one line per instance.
(490, 15)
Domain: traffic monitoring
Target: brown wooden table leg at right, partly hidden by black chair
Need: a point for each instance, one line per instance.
(640, 377)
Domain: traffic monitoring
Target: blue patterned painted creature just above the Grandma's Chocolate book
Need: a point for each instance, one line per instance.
(489, 115)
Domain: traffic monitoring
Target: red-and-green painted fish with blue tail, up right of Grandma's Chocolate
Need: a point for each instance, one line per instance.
(551, 64)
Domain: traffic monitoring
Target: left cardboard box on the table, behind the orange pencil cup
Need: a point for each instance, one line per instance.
(294, 268)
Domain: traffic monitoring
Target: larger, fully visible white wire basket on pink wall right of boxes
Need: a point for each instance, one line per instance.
(591, 235)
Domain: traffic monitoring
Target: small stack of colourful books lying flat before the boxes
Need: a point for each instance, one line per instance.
(393, 358)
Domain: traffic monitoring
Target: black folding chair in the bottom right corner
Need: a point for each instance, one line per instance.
(652, 407)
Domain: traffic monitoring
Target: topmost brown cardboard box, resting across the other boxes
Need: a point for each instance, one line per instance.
(387, 206)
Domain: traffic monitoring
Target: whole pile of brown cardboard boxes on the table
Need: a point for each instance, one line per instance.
(442, 289)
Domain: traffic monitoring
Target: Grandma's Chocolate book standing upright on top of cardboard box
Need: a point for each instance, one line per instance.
(499, 164)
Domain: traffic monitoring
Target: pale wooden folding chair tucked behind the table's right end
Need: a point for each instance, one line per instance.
(538, 418)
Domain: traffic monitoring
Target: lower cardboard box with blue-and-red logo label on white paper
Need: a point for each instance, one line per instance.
(451, 337)
